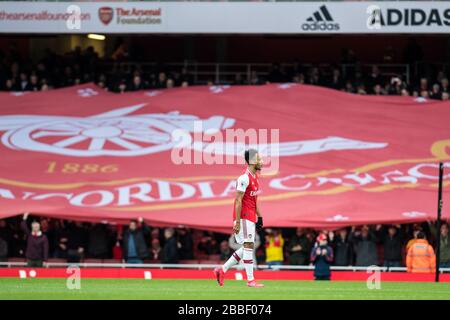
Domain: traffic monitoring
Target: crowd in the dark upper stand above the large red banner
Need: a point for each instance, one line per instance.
(82, 66)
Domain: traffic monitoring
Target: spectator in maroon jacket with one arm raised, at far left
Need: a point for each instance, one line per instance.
(37, 244)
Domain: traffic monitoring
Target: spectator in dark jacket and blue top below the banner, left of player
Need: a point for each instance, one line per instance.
(135, 248)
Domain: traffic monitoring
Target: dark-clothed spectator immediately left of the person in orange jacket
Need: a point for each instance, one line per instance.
(392, 239)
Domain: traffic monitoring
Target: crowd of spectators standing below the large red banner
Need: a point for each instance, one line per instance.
(40, 239)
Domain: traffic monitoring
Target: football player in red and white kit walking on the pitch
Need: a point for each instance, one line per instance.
(247, 219)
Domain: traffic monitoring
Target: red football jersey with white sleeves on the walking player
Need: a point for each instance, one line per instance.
(249, 184)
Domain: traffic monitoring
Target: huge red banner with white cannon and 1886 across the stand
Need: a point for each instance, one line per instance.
(83, 153)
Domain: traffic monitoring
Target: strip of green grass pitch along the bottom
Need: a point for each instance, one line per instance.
(12, 288)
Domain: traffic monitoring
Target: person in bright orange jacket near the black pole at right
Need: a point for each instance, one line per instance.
(420, 257)
